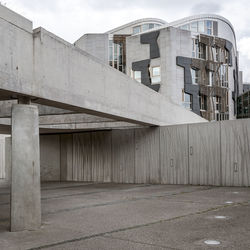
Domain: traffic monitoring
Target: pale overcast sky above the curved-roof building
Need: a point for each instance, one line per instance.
(70, 19)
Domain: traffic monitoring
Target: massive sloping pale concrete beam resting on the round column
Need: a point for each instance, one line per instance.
(53, 72)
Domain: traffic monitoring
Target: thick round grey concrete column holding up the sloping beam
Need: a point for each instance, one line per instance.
(25, 183)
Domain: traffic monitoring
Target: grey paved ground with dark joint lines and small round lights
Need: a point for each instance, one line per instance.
(112, 216)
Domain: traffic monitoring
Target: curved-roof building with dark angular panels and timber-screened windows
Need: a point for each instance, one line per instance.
(192, 61)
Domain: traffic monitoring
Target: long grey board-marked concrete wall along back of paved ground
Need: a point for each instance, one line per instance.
(200, 154)
